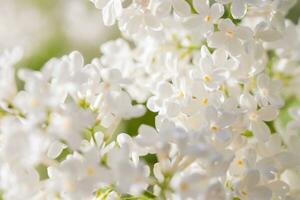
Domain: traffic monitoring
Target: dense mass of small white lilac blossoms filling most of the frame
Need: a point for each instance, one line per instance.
(217, 73)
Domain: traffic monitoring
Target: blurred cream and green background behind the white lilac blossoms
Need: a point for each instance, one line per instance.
(52, 28)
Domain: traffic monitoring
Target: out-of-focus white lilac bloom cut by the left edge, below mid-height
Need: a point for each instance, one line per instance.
(22, 145)
